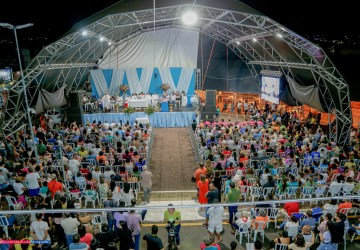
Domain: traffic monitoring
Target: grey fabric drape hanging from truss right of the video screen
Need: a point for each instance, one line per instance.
(308, 95)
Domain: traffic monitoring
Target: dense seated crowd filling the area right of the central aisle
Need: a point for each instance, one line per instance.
(275, 158)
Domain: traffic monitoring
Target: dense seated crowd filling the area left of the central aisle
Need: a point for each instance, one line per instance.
(98, 164)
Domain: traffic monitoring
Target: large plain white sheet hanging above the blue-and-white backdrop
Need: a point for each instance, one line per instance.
(172, 47)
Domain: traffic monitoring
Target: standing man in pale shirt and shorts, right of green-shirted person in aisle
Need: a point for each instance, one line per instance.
(215, 220)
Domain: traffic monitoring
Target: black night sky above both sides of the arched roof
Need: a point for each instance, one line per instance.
(53, 18)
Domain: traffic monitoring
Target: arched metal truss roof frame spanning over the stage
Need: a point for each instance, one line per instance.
(251, 36)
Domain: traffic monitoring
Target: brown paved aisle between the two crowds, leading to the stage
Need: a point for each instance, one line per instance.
(173, 160)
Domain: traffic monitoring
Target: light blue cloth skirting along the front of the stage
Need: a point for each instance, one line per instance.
(157, 119)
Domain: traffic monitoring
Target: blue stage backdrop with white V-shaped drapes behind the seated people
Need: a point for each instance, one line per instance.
(142, 80)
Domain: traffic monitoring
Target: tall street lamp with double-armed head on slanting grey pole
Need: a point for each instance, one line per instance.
(27, 111)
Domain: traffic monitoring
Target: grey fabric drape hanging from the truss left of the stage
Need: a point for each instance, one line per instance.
(47, 100)
